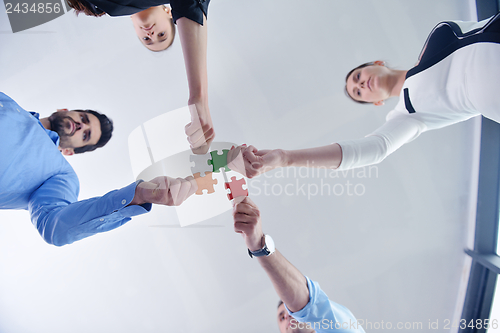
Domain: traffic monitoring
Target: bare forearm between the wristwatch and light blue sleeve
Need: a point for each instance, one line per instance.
(288, 281)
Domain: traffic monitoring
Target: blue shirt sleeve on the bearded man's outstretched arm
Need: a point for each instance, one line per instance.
(61, 219)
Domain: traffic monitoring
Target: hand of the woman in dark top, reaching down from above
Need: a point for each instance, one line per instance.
(200, 130)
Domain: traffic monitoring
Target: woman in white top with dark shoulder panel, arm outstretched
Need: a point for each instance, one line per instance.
(456, 78)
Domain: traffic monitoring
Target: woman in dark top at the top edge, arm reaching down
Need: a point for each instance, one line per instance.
(154, 24)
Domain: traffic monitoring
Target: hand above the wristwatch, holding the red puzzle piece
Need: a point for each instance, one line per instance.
(247, 222)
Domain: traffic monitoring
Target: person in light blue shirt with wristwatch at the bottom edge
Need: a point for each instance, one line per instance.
(307, 308)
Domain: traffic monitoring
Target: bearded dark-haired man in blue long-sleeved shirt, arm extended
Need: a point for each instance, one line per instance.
(35, 176)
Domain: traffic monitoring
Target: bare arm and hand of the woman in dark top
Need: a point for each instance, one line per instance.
(194, 47)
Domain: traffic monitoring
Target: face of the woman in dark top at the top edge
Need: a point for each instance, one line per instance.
(154, 27)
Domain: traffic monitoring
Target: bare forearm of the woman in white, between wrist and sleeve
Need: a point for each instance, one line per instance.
(327, 156)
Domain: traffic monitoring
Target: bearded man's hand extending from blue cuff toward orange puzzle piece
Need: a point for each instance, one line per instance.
(165, 190)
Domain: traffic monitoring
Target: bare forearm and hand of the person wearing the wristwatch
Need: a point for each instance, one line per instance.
(289, 283)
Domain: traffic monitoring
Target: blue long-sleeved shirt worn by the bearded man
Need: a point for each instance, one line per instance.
(35, 176)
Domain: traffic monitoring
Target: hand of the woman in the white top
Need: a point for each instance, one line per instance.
(251, 162)
